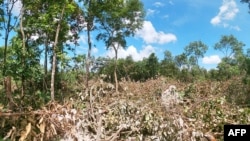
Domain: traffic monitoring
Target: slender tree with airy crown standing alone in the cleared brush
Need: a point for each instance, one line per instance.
(118, 20)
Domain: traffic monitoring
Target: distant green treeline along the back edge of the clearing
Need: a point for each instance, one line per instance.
(185, 67)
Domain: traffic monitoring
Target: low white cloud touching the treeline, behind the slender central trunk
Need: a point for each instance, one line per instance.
(132, 51)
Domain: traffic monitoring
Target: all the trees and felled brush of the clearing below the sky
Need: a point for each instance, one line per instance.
(49, 92)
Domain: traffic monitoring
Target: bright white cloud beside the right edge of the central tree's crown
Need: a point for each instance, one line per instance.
(150, 35)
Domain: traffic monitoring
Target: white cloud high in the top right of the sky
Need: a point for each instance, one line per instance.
(228, 11)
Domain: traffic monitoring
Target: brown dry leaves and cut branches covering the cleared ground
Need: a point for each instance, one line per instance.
(136, 113)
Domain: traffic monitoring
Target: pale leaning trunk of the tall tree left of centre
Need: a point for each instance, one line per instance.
(53, 70)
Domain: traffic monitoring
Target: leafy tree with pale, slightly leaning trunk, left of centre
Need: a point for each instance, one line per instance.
(52, 22)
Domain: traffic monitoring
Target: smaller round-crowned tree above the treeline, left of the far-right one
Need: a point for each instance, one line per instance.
(196, 50)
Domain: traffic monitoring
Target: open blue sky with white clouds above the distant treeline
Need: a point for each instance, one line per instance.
(173, 24)
